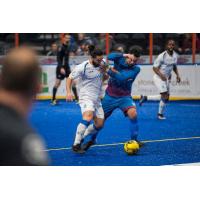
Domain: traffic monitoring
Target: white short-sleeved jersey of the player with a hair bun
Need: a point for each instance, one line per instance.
(89, 81)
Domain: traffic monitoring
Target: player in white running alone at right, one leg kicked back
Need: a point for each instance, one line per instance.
(163, 66)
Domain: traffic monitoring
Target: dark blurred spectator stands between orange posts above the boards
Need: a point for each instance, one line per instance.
(48, 43)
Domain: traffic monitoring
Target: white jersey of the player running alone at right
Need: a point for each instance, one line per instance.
(166, 62)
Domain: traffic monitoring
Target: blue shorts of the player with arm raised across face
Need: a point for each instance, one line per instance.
(110, 103)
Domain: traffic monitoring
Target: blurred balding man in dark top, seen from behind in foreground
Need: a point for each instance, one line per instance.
(19, 83)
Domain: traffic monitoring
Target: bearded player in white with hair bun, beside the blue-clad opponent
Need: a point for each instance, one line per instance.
(90, 75)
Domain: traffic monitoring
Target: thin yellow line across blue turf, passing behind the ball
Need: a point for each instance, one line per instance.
(121, 143)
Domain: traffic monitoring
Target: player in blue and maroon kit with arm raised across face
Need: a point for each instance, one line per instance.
(118, 93)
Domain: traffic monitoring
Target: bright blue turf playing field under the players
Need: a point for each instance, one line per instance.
(58, 124)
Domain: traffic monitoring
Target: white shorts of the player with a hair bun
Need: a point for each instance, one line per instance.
(88, 105)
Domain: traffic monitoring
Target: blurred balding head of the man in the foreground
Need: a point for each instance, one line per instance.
(19, 74)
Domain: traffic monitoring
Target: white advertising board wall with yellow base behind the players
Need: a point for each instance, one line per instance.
(189, 88)
